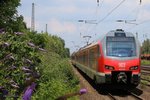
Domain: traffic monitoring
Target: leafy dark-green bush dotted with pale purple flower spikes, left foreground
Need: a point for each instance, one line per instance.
(14, 53)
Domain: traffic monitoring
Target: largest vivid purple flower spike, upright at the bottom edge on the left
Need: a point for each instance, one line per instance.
(28, 92)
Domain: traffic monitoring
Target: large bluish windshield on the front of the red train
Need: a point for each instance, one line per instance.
(120, 47)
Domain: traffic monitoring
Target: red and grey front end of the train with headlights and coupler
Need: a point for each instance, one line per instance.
(121, 58)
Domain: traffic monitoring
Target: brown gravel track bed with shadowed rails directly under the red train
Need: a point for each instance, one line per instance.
(105, 93)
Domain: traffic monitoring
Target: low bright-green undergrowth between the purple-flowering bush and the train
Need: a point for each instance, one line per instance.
(57, 78)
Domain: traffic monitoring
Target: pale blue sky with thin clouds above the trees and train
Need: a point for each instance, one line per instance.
(75, 20)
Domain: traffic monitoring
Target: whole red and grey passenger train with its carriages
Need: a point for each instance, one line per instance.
(115, 58)
